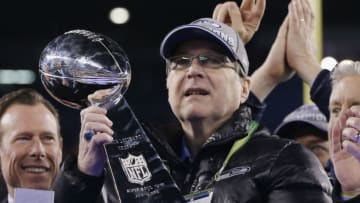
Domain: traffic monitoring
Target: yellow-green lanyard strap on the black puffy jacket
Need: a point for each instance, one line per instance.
(236, 147)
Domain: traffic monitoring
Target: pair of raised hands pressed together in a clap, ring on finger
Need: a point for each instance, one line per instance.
(293, 50)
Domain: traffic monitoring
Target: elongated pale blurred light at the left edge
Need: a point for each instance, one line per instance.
(19, 76)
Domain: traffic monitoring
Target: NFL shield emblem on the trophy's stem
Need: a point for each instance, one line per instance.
(136, 169)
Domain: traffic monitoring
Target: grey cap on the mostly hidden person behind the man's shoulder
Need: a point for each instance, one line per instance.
(305, 115)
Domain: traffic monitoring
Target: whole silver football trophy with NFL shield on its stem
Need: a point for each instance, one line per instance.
(82, 68)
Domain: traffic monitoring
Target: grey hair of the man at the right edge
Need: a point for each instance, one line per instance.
(344, 69)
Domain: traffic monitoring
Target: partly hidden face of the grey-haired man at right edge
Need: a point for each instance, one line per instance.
(344, 95)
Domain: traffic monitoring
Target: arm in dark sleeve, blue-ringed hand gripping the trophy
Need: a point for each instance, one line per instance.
(82, 178)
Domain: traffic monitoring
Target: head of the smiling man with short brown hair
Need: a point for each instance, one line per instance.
(30, 148)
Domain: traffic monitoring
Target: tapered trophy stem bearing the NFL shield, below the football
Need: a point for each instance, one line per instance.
(135, 167)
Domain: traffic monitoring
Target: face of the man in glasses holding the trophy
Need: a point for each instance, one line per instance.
(197, 92)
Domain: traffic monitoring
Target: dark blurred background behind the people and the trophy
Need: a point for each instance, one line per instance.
(27, 26)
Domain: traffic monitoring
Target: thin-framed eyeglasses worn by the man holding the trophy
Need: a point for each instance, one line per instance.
(208, 61)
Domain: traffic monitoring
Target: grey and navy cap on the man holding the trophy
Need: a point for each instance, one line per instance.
(209, 29)
